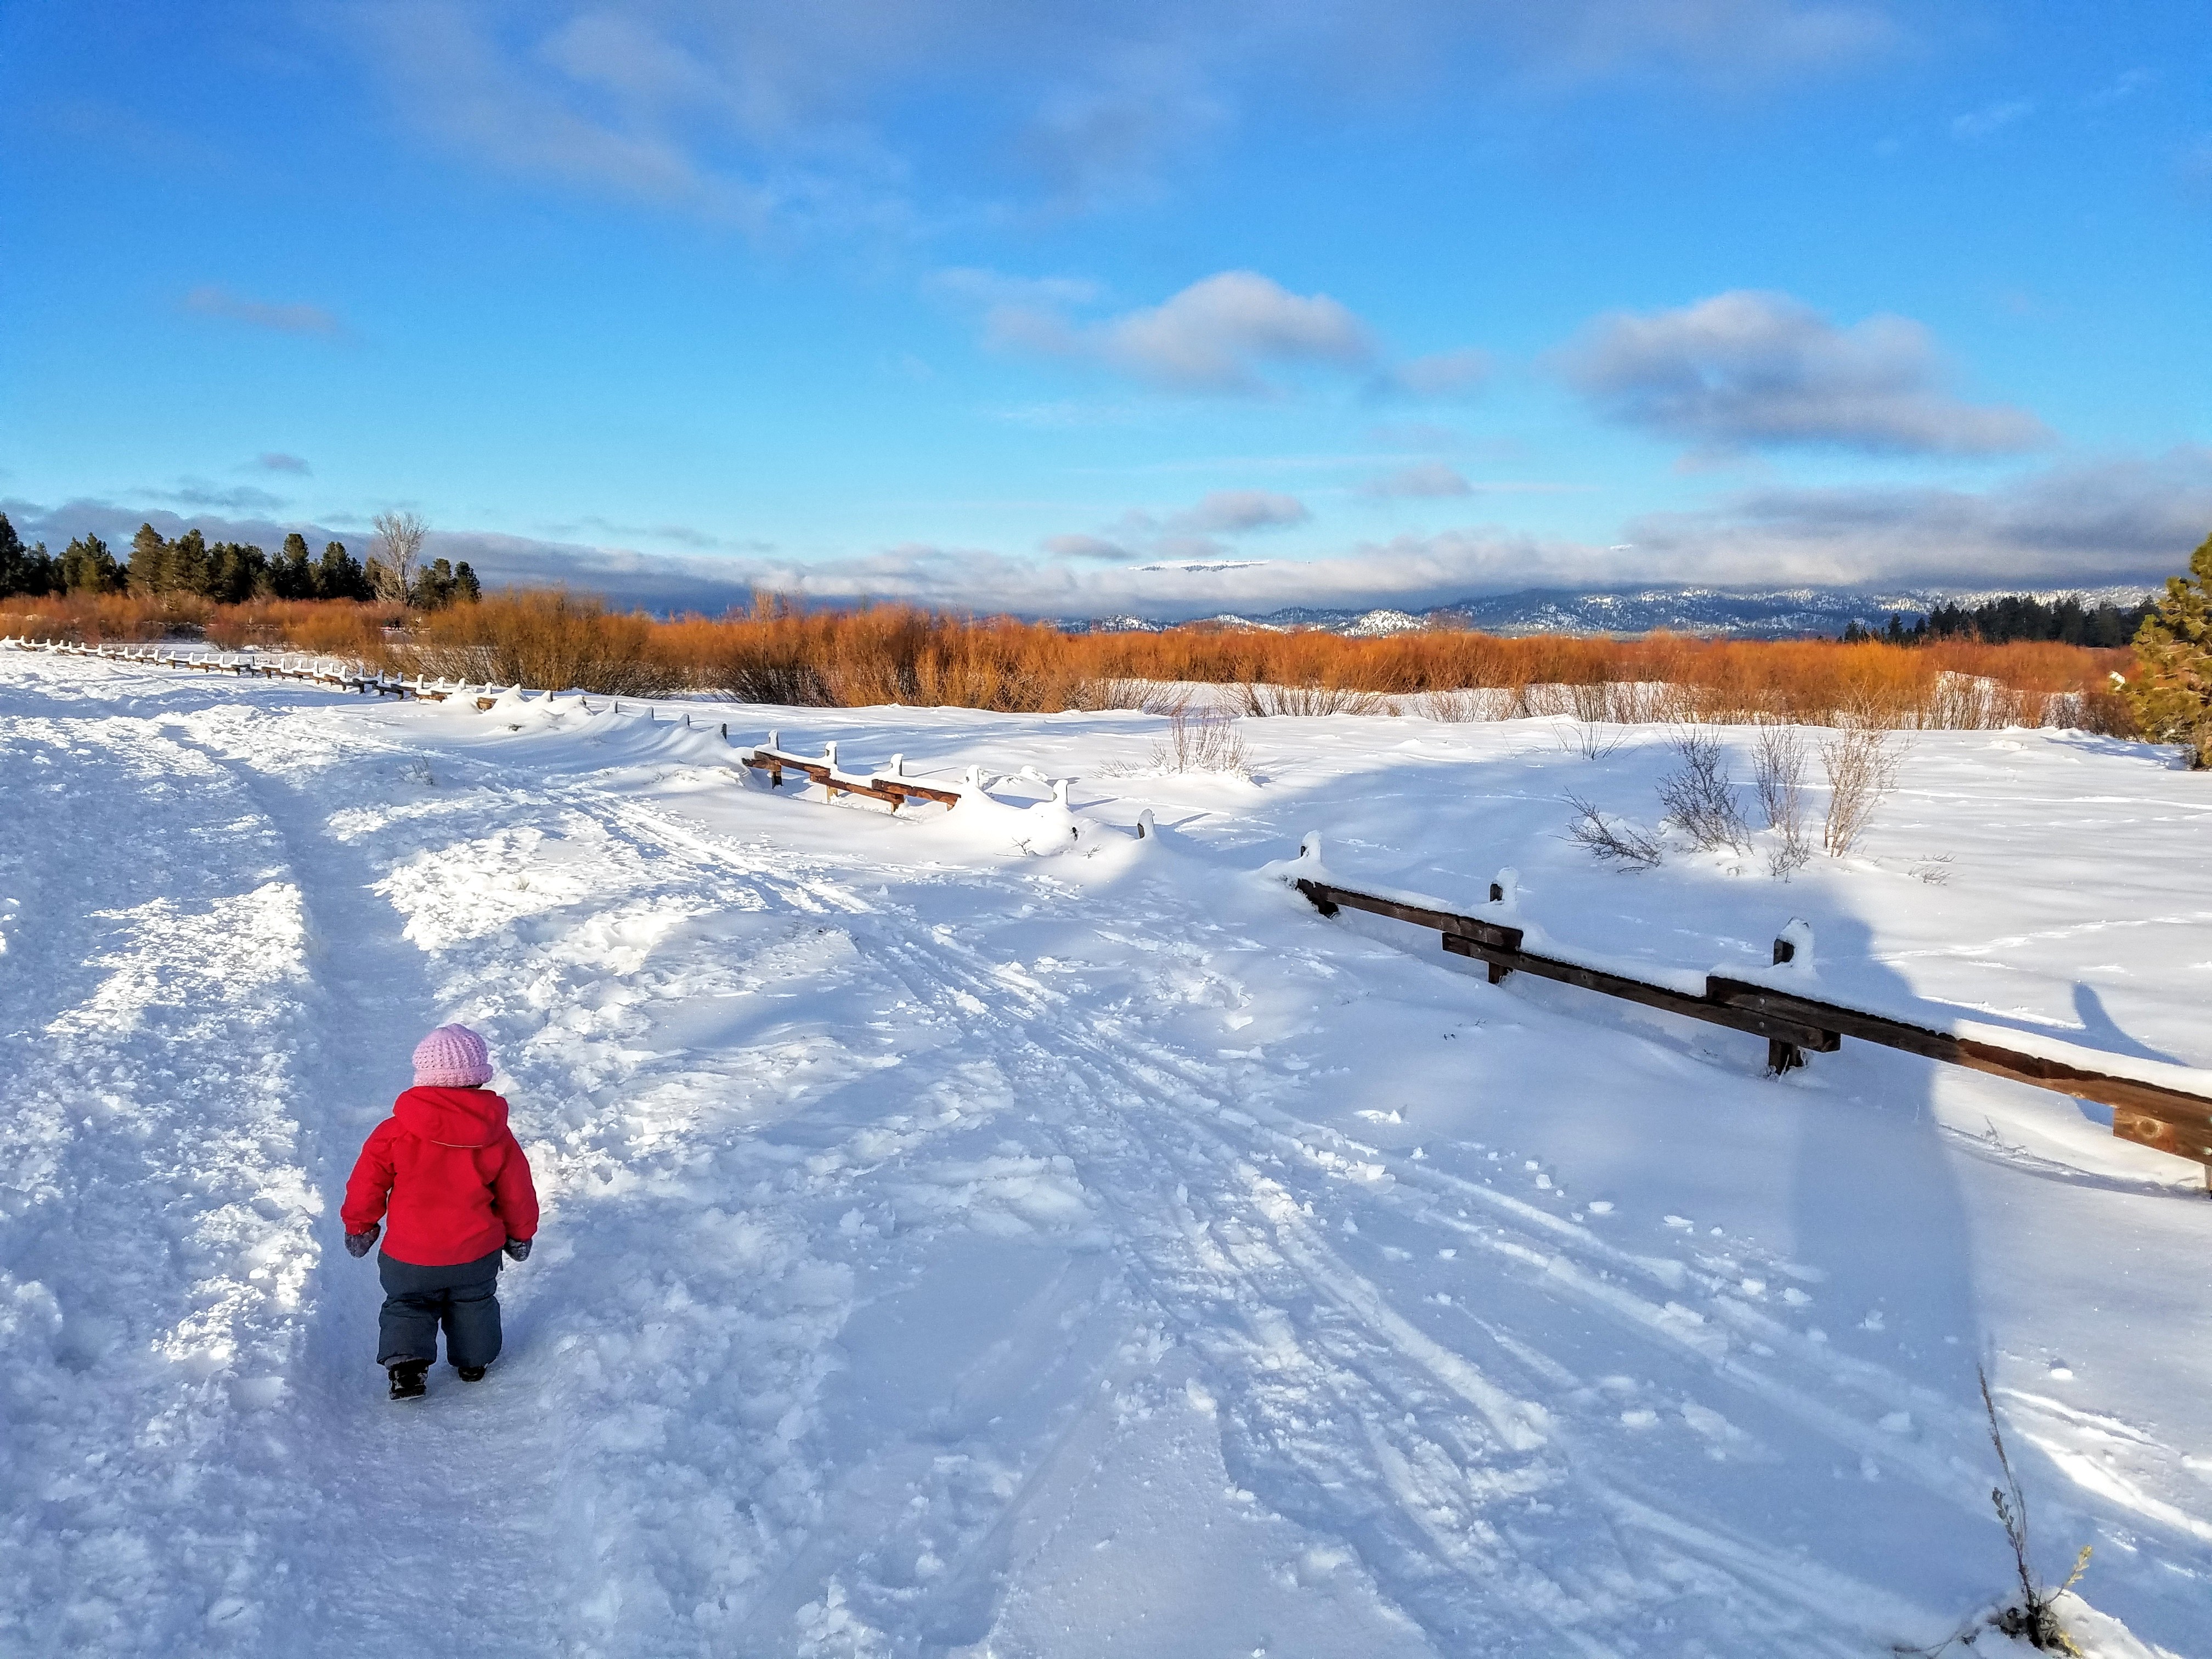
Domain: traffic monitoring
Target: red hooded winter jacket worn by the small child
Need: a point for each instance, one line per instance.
(452, 1176)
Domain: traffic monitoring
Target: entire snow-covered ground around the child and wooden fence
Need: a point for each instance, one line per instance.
(961, 1251)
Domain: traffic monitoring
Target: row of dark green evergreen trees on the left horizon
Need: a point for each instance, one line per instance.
(222, 572)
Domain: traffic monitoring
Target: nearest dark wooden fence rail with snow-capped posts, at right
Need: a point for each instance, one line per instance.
(2149, 1114)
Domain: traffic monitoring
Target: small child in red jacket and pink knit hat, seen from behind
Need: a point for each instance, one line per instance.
(452, 1180)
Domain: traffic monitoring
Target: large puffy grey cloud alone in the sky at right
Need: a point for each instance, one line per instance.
(1749, 371)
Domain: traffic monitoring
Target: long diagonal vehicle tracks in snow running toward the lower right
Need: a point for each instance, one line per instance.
(1426, 1490)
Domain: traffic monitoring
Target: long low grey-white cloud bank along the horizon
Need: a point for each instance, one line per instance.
(2085, 525)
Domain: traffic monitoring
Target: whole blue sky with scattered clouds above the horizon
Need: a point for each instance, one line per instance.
(1094, 309)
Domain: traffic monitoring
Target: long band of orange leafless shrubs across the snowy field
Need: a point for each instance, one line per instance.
(780, 654)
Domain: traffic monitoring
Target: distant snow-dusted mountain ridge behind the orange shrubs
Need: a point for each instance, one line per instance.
(1735, 614)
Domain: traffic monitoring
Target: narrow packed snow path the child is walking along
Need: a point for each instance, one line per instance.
(399, 1496)
